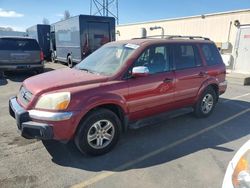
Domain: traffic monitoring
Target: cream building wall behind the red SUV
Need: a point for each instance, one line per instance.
(218, 27)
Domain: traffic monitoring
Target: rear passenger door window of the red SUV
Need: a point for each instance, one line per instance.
(186, 56)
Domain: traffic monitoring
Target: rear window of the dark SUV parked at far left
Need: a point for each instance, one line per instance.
(19, 44)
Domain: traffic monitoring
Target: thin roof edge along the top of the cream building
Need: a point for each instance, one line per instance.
(188, 17)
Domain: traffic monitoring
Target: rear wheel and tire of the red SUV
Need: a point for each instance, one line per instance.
(206, 103)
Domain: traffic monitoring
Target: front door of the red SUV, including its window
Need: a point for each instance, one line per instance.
(153, 93)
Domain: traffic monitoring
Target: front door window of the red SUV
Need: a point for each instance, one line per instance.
(156, 59)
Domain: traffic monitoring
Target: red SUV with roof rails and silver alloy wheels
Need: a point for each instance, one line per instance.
(120, 83)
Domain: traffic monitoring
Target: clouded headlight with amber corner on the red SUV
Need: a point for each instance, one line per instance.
(54, 101)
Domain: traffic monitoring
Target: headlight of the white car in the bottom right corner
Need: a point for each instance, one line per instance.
(241, 174)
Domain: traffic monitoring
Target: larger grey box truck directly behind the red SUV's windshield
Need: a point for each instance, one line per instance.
(77, 37)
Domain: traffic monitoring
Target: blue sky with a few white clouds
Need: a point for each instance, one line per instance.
(21, 14)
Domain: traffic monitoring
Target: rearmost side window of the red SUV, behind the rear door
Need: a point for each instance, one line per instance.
(211, 54)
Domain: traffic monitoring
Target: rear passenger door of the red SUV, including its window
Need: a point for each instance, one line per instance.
(189, 71)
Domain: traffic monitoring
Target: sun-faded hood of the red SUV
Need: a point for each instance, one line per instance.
(60, 79)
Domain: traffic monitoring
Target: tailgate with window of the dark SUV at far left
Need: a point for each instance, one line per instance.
(19, 51)
